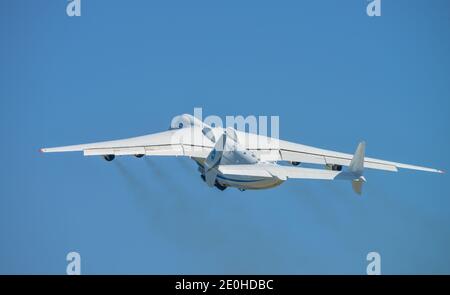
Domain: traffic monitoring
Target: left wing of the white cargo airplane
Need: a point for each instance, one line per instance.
(178, 142)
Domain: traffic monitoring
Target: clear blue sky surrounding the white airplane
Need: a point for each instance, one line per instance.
(332, 74)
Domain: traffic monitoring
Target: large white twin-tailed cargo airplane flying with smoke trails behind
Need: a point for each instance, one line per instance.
(231, 158)
